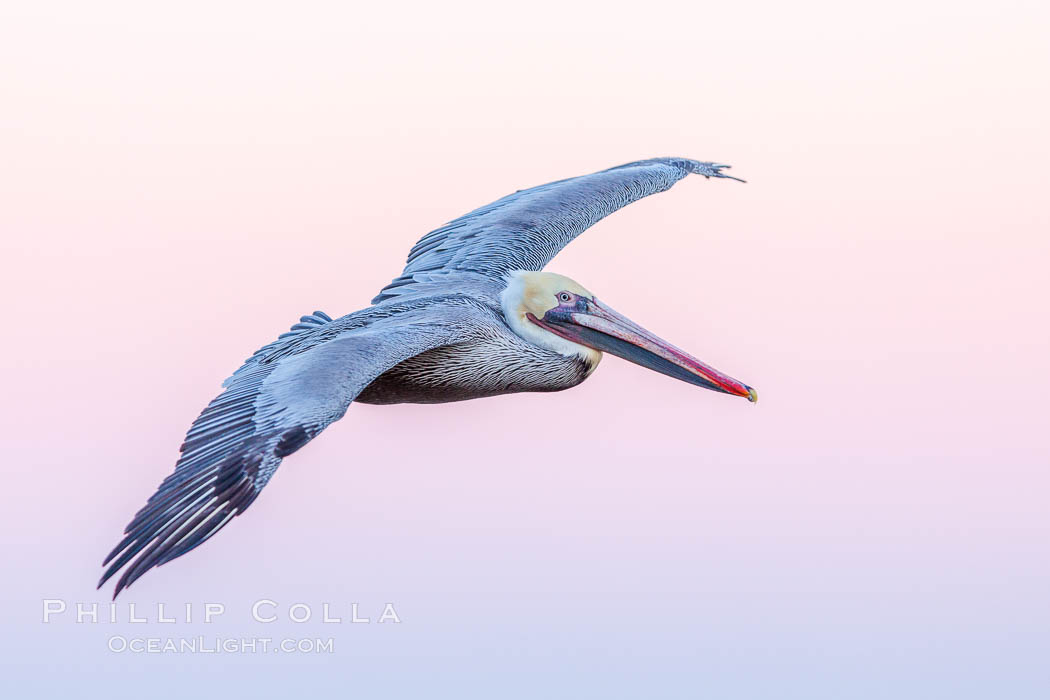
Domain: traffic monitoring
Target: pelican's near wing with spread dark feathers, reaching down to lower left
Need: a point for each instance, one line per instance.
(284, 396)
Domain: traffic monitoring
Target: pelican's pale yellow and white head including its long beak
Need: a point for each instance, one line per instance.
(559, 314)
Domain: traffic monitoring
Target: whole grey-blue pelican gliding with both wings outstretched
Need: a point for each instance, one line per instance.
(473, 315)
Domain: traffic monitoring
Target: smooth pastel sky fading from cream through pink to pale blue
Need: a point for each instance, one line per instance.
(180, 185)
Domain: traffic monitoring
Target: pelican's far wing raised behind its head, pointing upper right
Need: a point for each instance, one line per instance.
(527, 230)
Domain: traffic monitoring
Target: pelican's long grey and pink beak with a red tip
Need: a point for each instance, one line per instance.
(604, 330)
